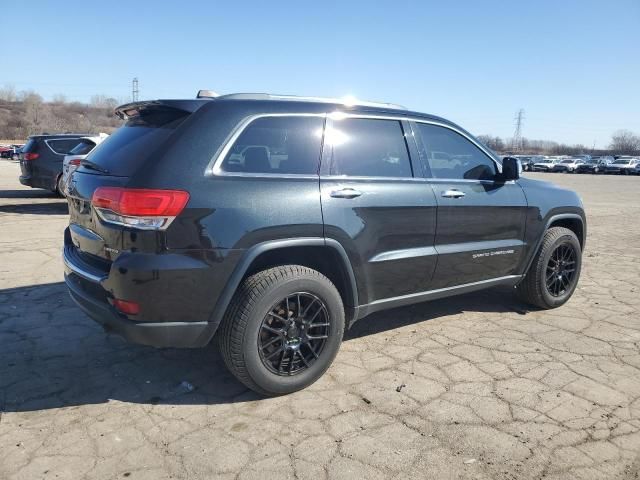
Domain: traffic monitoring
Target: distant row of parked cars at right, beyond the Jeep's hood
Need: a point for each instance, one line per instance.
(625, 165)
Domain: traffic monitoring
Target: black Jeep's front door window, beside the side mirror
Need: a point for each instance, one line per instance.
(450, 155)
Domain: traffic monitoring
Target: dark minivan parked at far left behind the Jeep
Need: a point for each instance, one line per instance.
(41, 160)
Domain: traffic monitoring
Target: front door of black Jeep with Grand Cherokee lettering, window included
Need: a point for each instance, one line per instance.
(480, 219)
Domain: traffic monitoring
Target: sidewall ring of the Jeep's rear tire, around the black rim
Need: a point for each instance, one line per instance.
(259, 373)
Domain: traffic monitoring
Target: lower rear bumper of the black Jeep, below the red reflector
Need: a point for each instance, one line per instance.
(87, 292)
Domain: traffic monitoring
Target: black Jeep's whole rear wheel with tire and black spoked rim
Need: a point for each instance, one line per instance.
(250, 317)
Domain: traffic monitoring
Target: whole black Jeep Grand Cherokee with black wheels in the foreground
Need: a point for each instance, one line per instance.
(279, 221)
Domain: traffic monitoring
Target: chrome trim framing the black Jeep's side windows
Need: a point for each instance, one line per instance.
(214, 167)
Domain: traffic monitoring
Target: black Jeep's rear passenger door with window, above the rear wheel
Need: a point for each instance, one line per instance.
(376, 203)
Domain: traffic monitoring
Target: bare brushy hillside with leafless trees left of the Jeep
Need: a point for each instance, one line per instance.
(26, 113)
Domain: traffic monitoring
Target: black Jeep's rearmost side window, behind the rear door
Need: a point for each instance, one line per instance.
(277, 145)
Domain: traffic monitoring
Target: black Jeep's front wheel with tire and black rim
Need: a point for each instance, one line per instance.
(534, 288)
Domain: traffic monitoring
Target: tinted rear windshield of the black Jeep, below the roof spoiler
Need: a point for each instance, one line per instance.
(129, 147)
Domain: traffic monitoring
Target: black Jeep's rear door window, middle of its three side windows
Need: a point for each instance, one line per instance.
(368, 147)
